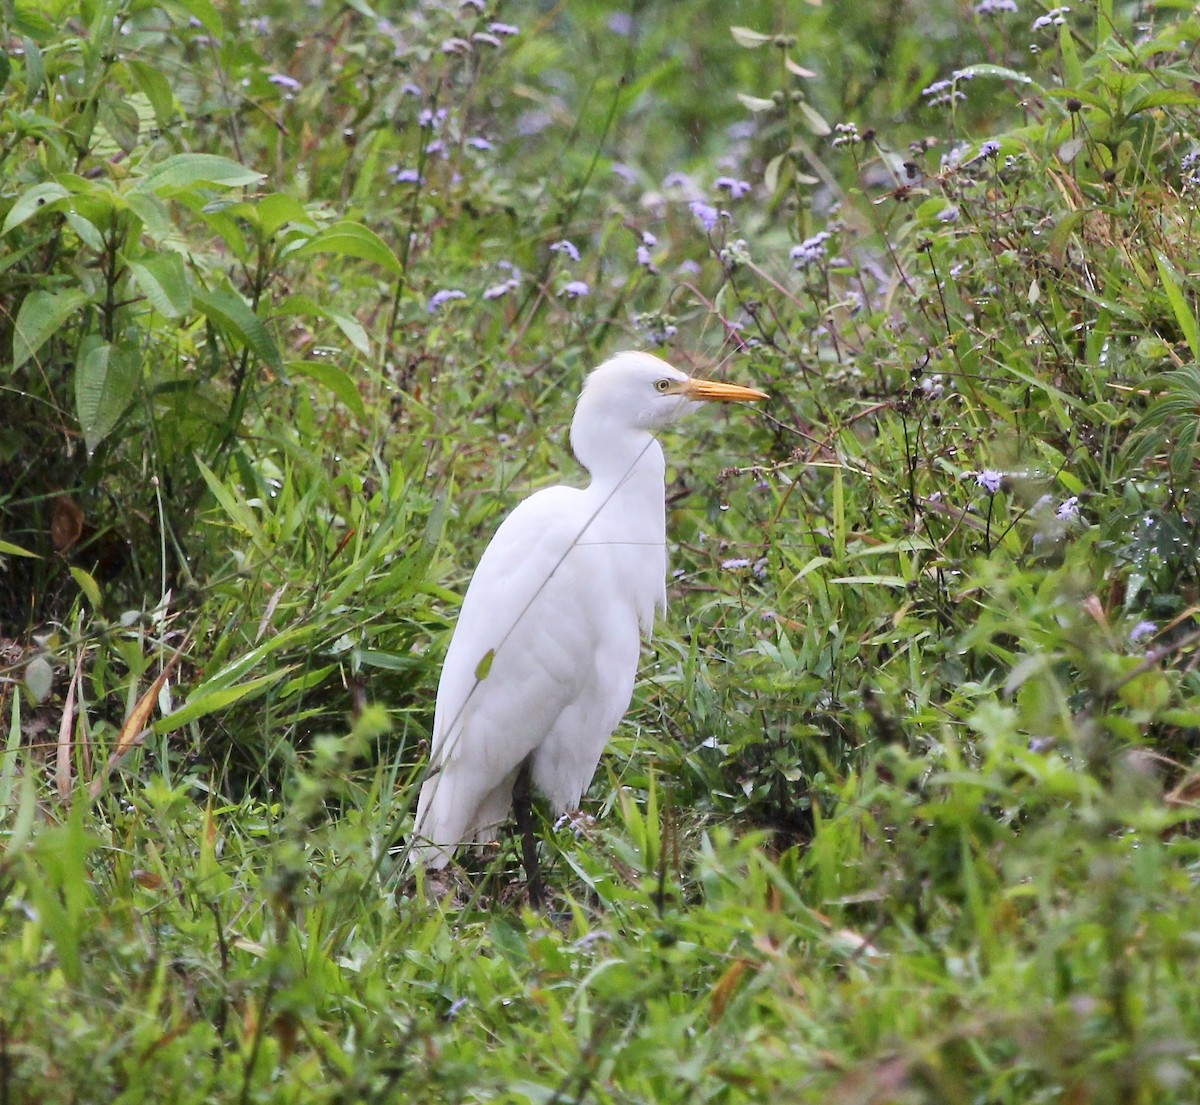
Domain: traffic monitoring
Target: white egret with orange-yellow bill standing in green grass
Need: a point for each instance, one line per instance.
(542, 665)
